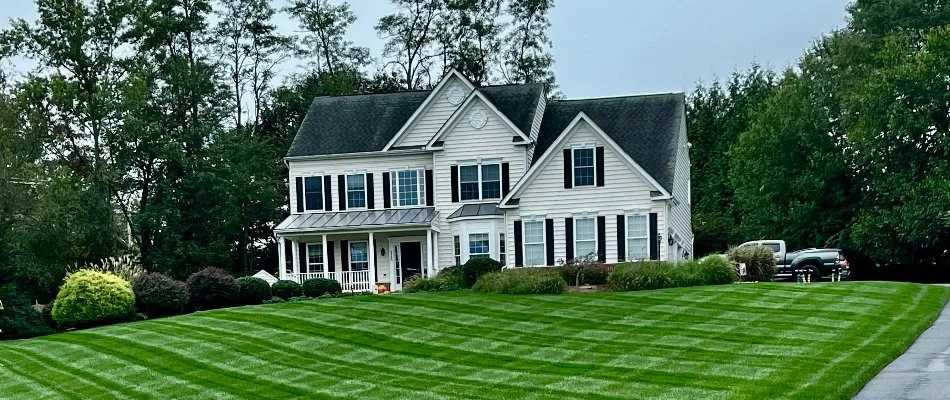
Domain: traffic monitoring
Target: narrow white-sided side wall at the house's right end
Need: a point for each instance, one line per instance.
(680, 215)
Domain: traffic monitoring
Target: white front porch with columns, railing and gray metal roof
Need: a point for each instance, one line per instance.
(363, 250)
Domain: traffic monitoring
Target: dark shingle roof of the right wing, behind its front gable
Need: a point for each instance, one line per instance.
(646, 127)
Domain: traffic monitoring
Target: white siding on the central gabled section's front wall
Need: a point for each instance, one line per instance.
(465, 144)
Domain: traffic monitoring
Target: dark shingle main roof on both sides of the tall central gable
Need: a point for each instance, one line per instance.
(363, 123)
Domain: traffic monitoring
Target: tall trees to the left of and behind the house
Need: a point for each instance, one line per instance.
(158, 127)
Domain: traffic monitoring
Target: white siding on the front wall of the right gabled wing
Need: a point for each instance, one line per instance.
(623, 191)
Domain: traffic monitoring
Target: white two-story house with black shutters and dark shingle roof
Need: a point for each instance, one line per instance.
(387, 186)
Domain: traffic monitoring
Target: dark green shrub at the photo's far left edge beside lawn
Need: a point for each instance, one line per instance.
(18, 318)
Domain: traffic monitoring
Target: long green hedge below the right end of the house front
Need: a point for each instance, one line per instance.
(649, 275)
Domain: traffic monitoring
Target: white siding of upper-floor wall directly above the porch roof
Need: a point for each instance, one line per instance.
(375, 165)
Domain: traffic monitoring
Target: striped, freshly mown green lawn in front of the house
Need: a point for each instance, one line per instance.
(755, 341)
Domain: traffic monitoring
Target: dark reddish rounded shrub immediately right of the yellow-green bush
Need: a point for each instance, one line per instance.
(157, 295)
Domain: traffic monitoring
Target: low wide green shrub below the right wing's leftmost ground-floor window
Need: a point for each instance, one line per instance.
(522, 281)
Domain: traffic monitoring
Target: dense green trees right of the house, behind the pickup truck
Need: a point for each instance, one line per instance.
(848, 148)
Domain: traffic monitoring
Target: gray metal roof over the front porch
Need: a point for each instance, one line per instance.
(346, 220)
